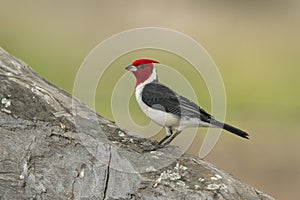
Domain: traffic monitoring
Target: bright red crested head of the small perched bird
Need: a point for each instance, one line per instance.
(142, 69)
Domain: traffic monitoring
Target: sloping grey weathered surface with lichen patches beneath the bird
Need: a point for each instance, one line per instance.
(54, 147)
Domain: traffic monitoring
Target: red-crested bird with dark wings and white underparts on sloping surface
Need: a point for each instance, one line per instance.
(167, 108)
